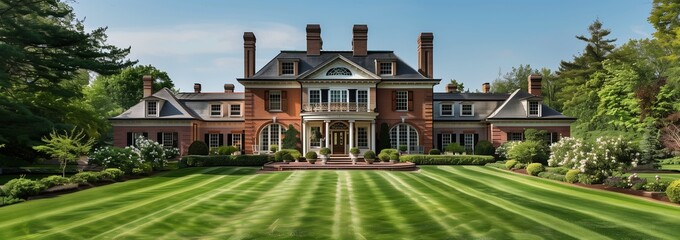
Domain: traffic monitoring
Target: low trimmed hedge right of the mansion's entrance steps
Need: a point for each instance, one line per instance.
(447, 159)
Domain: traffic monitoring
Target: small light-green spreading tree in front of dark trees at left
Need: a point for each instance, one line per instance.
(66, 147)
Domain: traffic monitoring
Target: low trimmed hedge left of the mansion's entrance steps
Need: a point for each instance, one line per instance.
(225, 160)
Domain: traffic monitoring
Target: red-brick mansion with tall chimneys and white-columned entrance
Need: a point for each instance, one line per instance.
(339, 100)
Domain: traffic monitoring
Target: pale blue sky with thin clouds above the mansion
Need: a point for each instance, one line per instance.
(474, 40)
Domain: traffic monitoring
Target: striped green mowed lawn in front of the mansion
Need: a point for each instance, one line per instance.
(458, 202)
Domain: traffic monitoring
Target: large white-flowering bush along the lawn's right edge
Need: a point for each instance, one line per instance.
(597, 160)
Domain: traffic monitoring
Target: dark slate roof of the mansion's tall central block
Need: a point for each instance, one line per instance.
(308, 63)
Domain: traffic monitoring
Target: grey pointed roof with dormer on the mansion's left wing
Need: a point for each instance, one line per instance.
(171, 108)
